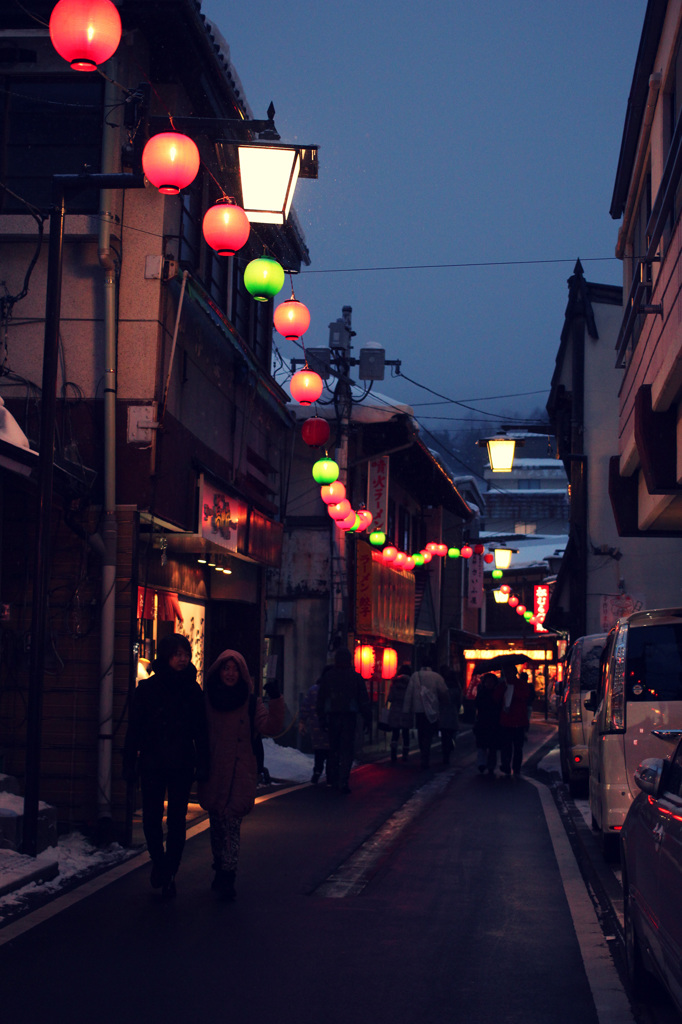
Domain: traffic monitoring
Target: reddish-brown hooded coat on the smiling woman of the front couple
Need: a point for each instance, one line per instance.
(231, 789)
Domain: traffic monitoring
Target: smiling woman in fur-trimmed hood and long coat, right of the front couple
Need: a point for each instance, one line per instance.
(235, 715)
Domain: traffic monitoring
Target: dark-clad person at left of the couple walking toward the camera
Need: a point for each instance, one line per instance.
(167, 743)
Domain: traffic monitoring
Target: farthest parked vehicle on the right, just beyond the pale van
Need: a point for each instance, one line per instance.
(582, 675)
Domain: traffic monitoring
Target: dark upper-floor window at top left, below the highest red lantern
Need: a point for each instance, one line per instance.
(50, 126)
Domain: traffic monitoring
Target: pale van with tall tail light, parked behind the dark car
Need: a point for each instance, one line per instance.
(637, 713)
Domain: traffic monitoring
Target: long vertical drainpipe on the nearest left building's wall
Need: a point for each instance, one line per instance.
(109, 531)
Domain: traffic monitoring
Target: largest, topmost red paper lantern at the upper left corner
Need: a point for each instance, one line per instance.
(86, 32)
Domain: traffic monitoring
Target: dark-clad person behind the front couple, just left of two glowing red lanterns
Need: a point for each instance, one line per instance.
(342, 698)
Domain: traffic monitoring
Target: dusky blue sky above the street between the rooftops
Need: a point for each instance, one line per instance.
(450, 133)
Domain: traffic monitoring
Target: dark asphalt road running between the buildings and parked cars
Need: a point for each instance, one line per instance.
(418, 899)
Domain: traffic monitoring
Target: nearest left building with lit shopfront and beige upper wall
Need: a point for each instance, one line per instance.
(173, 439)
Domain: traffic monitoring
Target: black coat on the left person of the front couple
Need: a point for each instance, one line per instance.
(167, 726)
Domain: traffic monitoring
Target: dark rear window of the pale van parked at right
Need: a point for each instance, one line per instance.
(655, 663)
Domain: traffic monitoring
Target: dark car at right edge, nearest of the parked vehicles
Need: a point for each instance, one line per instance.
(652, 861)
